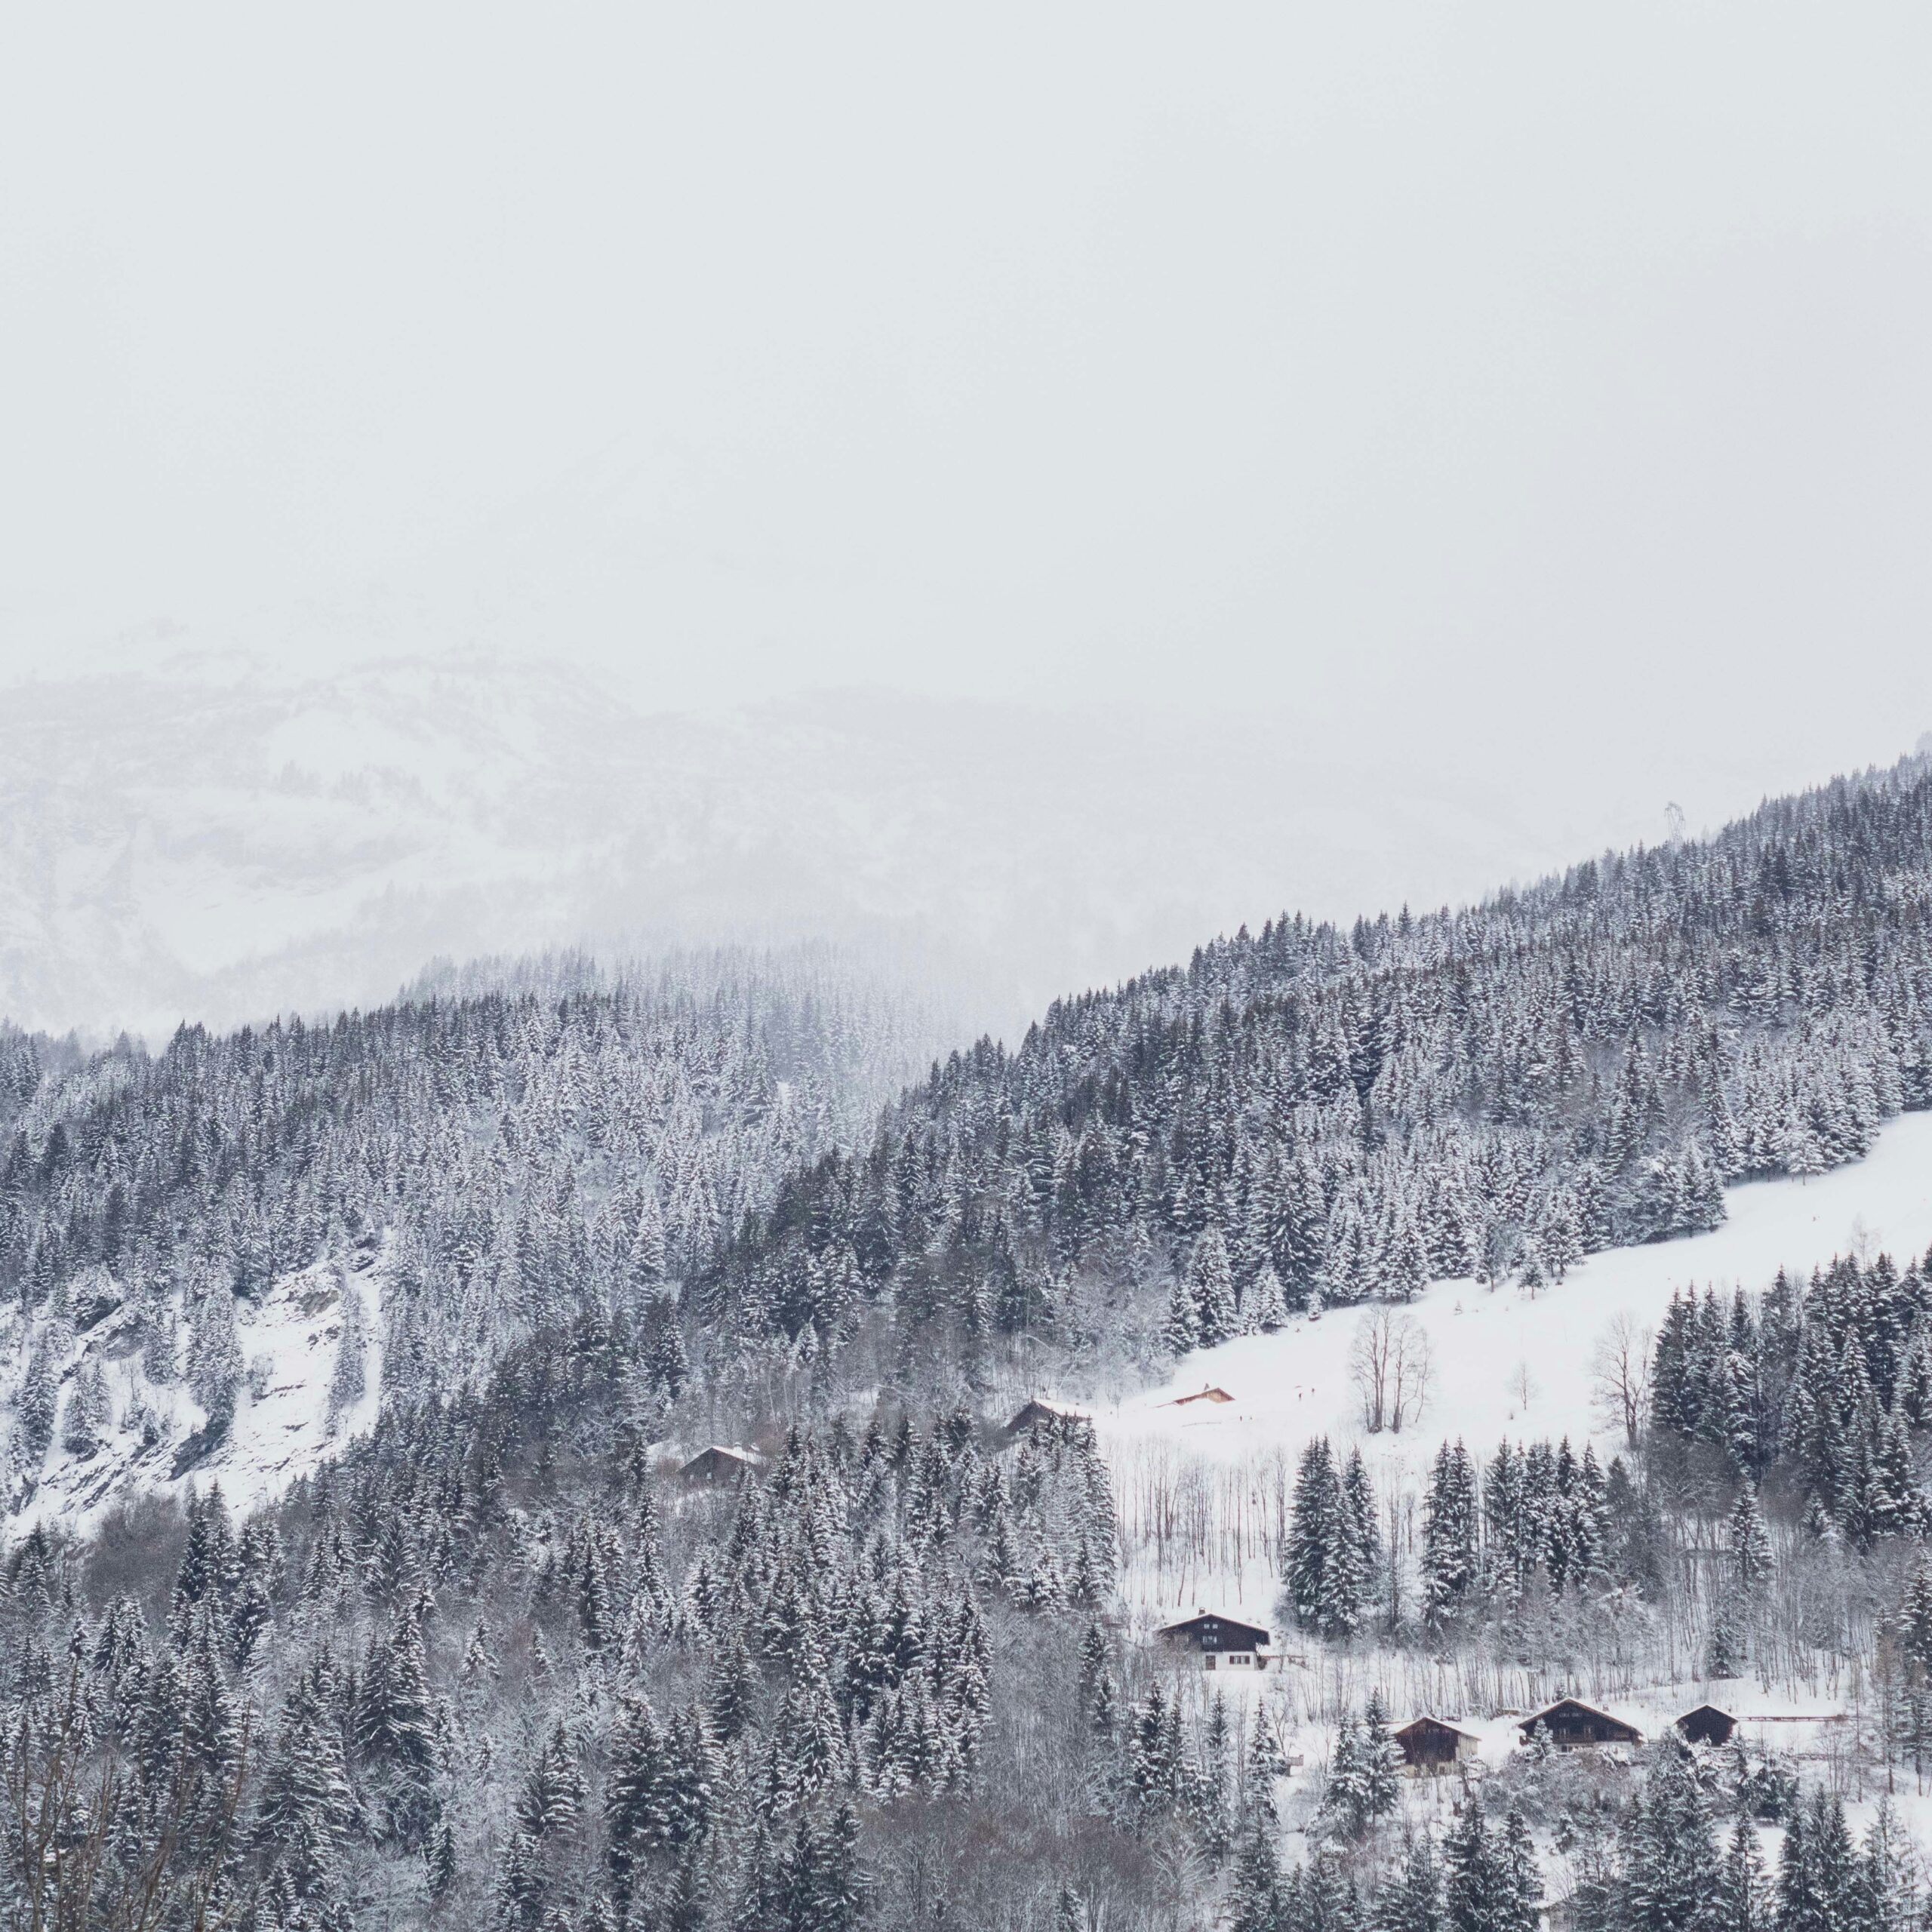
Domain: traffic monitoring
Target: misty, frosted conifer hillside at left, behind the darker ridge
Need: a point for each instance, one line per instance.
(519, 1156)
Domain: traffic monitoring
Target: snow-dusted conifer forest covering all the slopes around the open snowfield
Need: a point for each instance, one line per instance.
(499, 1657)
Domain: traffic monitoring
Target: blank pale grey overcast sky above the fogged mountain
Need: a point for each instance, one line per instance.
(1473, 384)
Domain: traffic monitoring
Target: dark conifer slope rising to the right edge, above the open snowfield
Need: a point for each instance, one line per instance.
(1321, 1114)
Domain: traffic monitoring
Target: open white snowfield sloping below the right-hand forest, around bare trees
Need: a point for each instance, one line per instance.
(1489, 1350)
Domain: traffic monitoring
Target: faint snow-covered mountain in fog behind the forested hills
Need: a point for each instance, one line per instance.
(223, 843)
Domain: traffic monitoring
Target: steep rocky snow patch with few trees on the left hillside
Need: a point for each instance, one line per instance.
(154, 1438)
